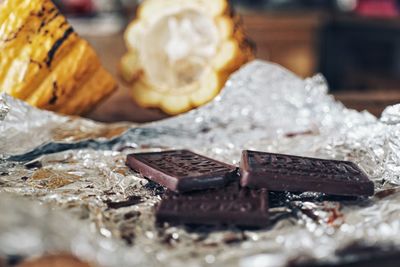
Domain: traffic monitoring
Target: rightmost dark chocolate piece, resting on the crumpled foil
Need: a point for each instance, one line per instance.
(279, 172)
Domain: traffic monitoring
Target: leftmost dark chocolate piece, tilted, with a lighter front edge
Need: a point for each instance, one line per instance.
(182, 170)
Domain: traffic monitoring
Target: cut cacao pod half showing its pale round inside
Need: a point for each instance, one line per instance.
(181, 52)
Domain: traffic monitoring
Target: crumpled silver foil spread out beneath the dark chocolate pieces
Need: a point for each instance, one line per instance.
(64, 185)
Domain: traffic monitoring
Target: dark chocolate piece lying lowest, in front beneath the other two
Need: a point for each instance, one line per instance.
(231, 205)
